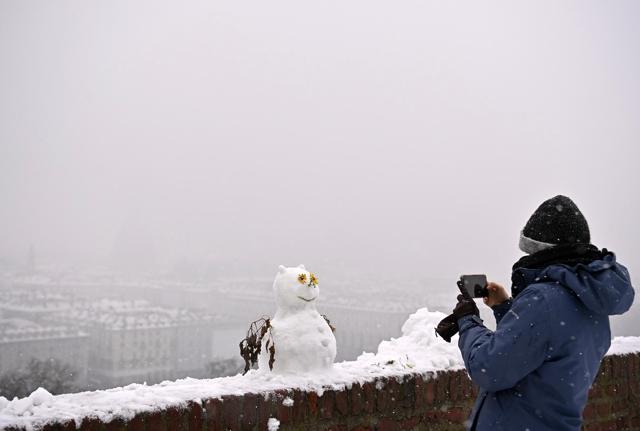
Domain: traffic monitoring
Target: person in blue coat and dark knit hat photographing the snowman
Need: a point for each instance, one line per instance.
(535, 370)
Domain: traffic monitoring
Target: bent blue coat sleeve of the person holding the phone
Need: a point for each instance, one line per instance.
(498, 360)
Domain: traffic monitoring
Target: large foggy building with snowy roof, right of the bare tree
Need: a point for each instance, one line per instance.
(133, 341)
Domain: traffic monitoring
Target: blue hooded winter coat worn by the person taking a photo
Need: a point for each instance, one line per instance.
(535, 370)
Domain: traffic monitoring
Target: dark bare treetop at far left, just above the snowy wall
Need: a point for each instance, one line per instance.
(55, 376)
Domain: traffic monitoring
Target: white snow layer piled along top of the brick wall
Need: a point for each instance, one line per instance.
(417, 351)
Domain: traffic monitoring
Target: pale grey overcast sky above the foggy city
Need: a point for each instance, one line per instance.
(396, 138)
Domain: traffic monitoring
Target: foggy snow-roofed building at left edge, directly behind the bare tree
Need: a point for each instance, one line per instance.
(22, 340)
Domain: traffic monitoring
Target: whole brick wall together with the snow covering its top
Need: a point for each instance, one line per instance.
(414, 382)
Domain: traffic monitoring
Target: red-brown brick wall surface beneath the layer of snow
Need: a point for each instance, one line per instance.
(439, 402)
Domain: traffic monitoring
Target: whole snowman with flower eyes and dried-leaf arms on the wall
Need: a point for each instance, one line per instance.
(298, 339)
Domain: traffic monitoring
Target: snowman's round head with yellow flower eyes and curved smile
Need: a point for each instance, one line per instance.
(295, 288)
